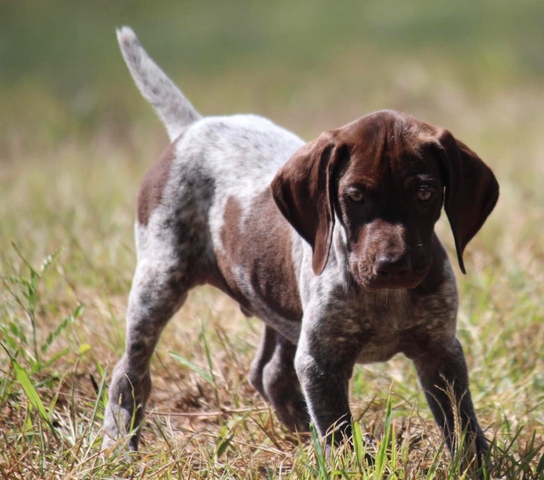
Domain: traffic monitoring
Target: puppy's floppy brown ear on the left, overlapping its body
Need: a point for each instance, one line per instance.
(303, 191)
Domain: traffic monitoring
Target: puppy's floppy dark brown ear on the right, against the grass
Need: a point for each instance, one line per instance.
(471, 191)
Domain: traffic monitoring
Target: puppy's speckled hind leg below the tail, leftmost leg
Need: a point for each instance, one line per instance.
(159, 289)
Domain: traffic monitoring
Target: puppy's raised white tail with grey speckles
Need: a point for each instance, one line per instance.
(175, 111)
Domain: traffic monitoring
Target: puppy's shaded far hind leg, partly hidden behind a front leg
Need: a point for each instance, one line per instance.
(273, 375)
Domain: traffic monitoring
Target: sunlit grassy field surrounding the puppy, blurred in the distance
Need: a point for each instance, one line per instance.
(76, 139)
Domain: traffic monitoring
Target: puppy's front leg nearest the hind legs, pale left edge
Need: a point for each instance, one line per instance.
(324, 369)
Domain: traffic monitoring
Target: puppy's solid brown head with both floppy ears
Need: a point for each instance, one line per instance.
(385, 178)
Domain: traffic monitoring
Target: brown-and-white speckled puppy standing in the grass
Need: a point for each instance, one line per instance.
(331, 244)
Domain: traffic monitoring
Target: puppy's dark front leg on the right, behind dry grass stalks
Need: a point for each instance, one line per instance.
(444, 377)
